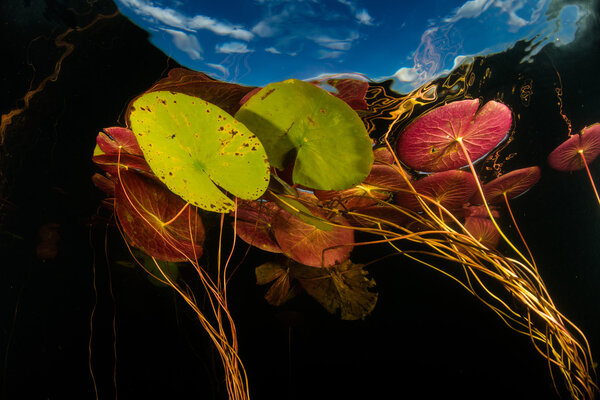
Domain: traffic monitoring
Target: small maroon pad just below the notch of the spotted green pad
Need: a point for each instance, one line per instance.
(254, 224)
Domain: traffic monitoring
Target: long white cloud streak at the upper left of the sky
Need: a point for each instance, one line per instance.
(174, 18)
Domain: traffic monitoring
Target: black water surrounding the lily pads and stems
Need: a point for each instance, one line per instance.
(426, 335)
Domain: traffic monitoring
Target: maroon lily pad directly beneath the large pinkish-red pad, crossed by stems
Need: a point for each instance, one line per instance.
(451, 189)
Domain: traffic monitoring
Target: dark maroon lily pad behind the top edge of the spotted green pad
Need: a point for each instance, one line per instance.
(222, 94)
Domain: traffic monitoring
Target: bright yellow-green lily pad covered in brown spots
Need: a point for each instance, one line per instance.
(195, 147)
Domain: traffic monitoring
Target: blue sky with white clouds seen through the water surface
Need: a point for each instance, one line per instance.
(256, 42)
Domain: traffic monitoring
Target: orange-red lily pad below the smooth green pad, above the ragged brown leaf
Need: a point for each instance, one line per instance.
(309, 245)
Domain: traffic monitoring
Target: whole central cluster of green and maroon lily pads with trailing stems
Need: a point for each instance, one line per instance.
(294, 170)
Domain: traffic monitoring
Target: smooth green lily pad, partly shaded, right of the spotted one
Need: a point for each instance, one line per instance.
(329, 141)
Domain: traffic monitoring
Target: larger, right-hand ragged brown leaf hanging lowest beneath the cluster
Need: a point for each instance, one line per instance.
(343, 287)
